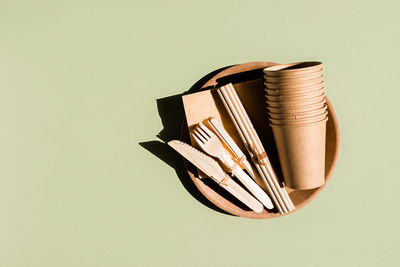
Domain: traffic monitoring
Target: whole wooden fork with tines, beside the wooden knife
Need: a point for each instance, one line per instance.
(210, 143)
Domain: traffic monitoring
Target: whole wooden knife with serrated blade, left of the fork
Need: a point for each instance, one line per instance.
(212, 169)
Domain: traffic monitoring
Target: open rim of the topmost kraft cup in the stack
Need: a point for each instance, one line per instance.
(293, 69)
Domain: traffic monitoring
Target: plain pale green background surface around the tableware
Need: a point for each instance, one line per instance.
(79, 82)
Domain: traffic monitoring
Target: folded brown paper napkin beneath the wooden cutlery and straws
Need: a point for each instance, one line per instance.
(203, 105)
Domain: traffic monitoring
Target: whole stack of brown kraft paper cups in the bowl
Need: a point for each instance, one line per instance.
(297, 112)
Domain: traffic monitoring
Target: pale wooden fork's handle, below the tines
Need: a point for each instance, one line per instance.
(249, 183)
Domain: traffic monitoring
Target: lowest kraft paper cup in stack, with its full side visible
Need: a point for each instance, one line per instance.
(301, 151)
